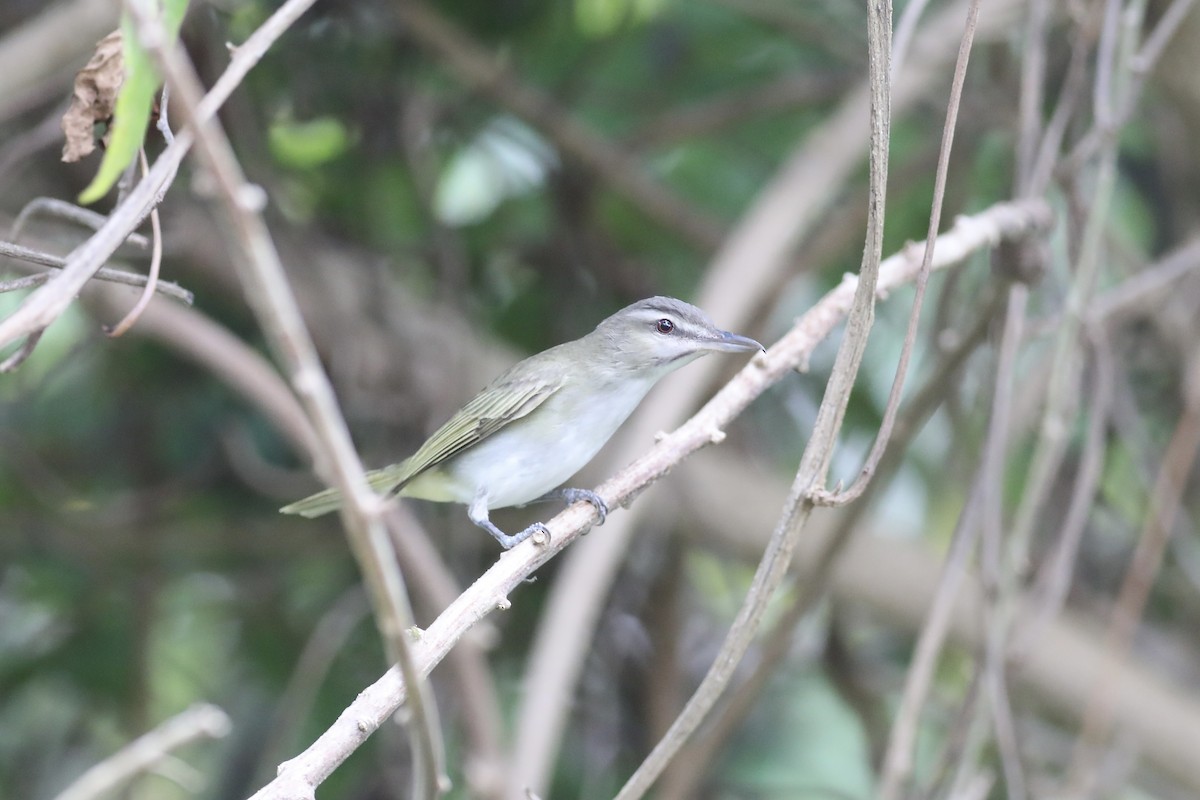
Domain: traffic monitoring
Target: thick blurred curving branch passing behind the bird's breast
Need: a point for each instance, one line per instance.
(757, 258)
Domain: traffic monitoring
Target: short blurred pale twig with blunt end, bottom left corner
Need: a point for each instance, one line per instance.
(197, 723)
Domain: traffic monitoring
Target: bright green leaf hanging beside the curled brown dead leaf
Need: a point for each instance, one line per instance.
(135, 101)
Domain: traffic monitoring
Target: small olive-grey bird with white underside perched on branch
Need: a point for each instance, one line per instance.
(543, 420)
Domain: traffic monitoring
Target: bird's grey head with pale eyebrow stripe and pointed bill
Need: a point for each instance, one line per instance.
(659, 335)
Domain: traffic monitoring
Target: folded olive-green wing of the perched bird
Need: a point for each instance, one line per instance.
(491, 411)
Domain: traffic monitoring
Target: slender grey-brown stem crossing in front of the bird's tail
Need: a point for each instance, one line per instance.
(271, 296)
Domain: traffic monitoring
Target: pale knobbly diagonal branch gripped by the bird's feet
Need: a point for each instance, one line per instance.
(376, 703)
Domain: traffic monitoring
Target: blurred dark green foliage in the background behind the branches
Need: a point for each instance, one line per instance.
(145, 567)
